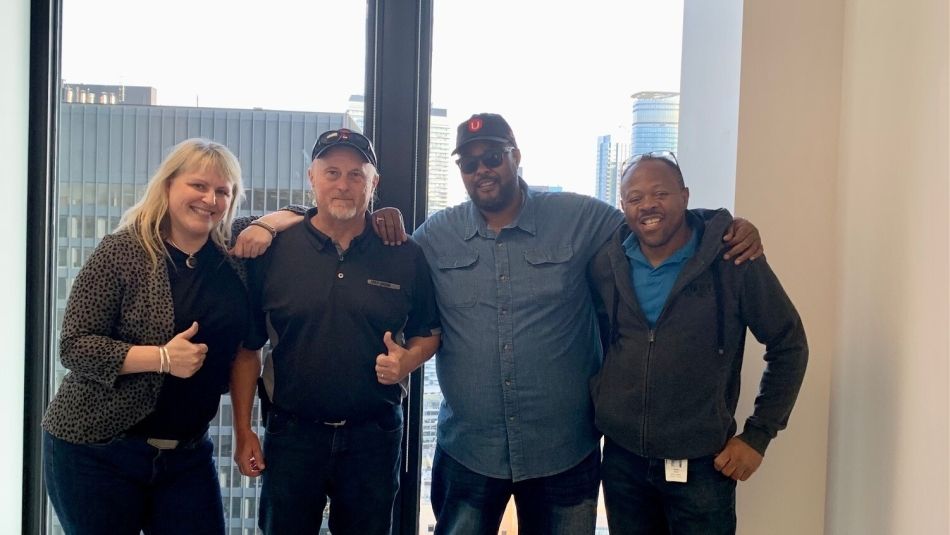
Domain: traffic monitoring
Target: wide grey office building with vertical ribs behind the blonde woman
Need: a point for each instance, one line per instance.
(107, 154)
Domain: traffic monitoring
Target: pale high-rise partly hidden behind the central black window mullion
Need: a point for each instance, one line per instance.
(440, 144)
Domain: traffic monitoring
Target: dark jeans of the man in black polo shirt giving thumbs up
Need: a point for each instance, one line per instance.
(356, 466)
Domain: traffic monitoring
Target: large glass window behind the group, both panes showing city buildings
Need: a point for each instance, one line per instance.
(265, 80)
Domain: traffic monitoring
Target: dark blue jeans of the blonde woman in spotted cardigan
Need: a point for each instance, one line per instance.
(125, 486)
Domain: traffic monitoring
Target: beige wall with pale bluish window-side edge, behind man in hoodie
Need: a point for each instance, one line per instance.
(777, 99)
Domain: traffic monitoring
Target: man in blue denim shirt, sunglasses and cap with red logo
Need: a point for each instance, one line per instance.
(519, 343)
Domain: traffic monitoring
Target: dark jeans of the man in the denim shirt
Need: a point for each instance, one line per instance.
(466, 502)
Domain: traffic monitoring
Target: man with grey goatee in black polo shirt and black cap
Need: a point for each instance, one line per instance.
(336, 303)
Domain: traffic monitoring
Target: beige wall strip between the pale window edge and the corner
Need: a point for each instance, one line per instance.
(785, 183)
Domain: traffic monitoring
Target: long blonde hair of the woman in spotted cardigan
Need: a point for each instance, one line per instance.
(147, 219)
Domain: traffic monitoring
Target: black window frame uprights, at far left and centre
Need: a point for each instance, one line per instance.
(397, 93)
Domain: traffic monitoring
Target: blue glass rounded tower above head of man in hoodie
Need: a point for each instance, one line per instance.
(655, 124)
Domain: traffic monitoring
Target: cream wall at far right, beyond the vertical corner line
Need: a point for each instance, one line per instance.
(889, 426)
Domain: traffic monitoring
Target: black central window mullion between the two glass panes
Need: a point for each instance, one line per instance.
(396, 117)
